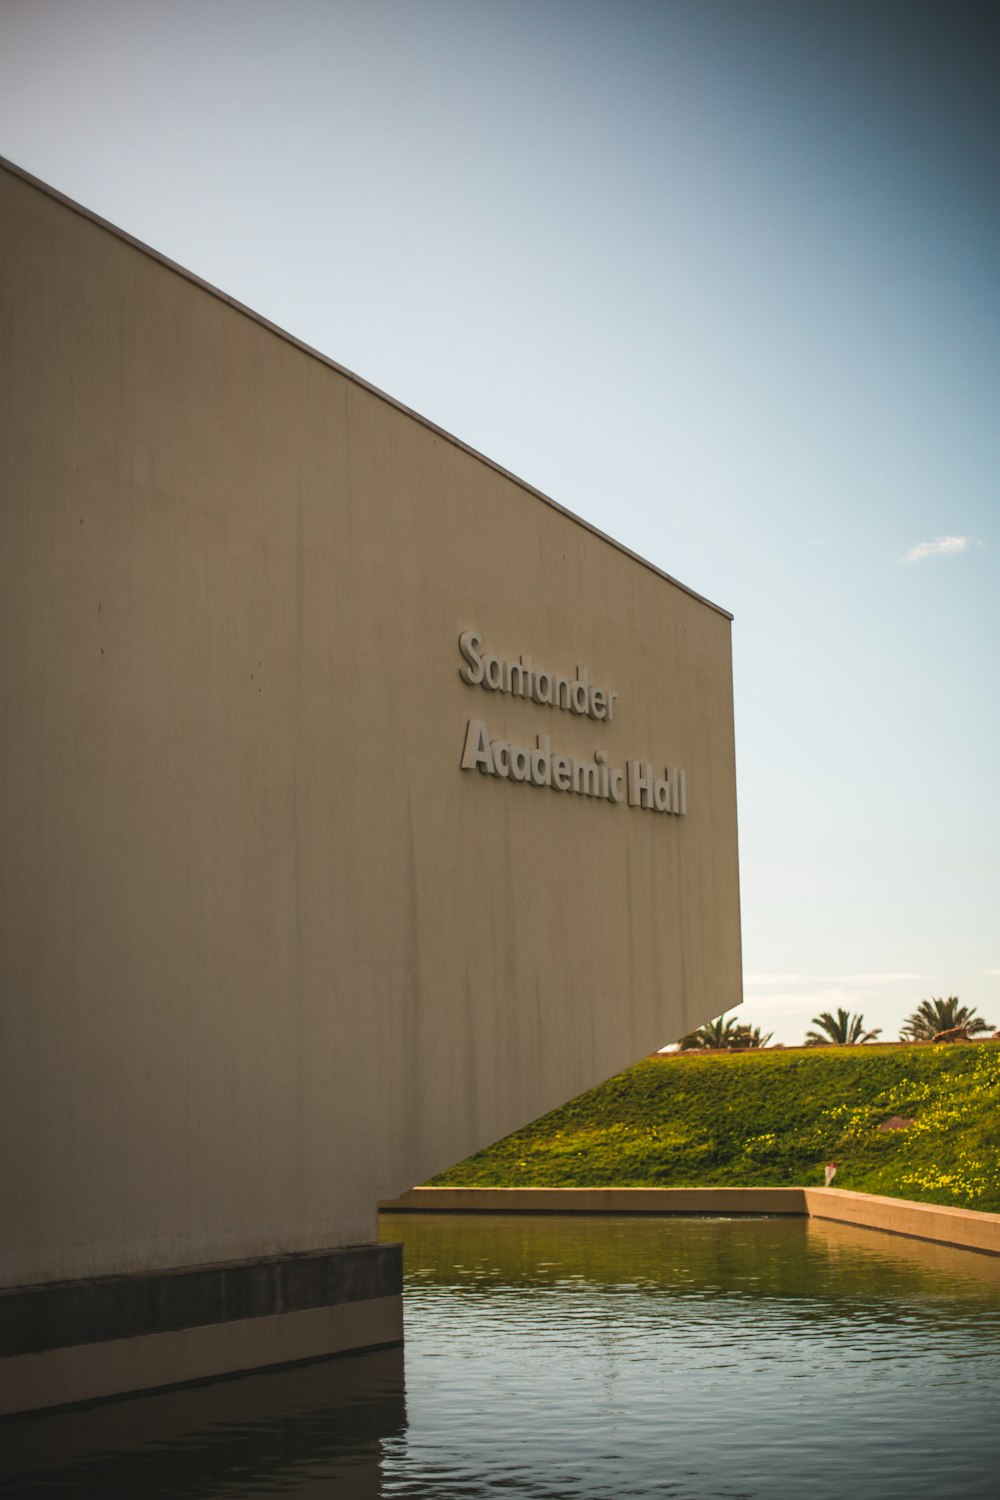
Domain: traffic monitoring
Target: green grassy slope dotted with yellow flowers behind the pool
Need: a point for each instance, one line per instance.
(774, 1117)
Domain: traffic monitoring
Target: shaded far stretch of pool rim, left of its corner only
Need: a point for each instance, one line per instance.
(600, 1201)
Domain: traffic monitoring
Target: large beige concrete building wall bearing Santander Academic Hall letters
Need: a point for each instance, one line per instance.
(268, 953)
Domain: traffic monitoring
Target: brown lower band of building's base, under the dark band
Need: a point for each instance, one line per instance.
(91, 1372)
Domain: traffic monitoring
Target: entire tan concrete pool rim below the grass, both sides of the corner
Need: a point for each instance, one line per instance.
(965, 1229)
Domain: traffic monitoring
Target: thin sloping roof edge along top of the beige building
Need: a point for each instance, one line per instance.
(356, 380)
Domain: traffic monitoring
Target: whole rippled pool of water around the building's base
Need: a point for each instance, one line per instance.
(594, 1358)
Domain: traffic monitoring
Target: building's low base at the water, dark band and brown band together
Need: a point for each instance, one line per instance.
(85, 1340)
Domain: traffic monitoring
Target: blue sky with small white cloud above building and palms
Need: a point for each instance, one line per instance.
(723, 277)
